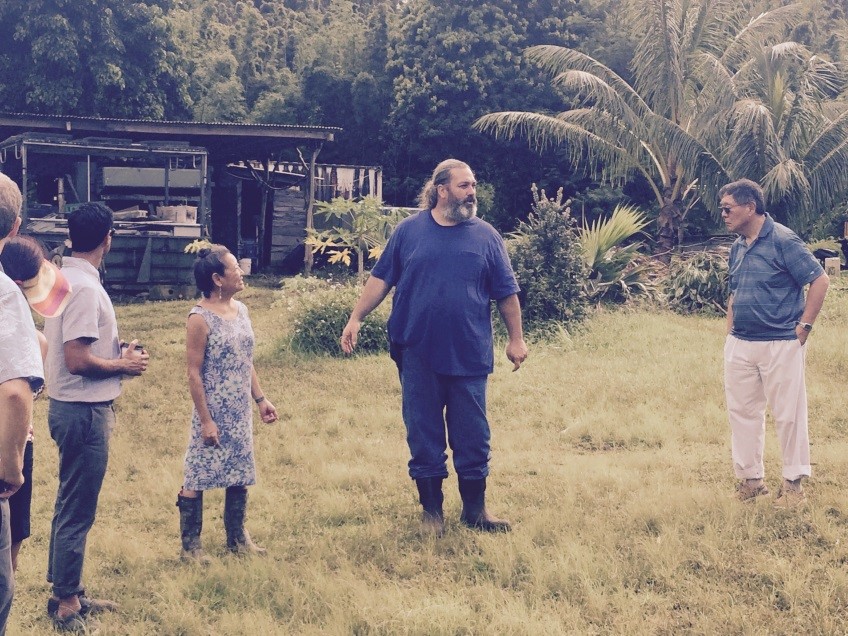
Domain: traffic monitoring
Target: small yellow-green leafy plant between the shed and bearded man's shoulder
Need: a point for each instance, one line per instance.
(356, 227)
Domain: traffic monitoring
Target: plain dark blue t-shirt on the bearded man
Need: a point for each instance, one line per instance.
(445, 279)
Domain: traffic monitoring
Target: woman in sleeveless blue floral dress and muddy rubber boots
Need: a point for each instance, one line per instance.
(222, 381)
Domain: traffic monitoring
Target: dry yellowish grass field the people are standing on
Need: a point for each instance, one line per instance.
(610, 456)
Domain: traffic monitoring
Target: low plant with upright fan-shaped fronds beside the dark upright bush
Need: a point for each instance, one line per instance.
(614, 270)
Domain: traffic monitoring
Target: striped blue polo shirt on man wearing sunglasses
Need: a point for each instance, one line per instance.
(767, 280)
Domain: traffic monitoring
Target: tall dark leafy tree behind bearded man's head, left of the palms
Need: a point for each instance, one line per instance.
(450, 63)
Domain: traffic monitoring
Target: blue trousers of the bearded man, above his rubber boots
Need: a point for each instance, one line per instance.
(433, 404)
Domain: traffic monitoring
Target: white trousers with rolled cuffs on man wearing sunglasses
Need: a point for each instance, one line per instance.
(757, 374)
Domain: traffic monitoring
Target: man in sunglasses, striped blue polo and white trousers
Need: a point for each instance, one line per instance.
(768, 323)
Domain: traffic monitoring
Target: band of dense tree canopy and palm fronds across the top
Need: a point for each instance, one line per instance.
(661, 98)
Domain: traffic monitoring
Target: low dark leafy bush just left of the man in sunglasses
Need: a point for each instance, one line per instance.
(698, 283)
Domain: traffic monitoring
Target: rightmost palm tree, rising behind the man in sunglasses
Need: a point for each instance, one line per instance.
(788, 131)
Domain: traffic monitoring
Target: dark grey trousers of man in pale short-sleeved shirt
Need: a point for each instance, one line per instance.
(81, 431)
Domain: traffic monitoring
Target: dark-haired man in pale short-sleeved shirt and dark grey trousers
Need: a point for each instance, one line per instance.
(85, 363)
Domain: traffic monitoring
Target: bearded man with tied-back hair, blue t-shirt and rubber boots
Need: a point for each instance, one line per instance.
(447, 266)
